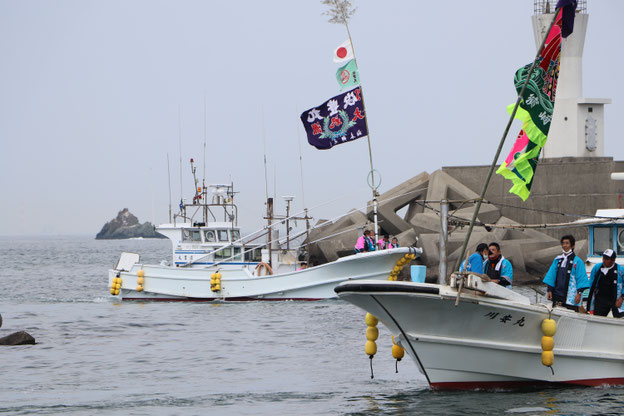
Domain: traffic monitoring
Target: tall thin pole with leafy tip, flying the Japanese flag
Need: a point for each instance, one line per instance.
(340, 12)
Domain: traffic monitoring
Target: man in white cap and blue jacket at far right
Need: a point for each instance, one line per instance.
(606, 291)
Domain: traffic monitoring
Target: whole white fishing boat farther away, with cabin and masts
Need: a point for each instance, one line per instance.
(210, 260)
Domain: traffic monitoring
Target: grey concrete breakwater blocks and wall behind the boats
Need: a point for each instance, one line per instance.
(563, 190)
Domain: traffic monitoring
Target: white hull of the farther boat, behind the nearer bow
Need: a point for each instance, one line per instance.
(239, 283)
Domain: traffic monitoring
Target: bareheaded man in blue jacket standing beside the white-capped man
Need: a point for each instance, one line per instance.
(567, 277)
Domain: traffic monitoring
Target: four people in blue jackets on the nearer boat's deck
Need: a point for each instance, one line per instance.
(566, 278)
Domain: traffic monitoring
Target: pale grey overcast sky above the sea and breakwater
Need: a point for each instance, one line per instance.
(90, 91)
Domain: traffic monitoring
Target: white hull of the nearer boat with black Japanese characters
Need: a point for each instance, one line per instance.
(491, 343)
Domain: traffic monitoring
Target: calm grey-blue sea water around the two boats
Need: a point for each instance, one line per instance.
(97, 356)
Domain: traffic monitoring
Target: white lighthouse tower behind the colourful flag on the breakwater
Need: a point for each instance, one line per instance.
(577, 128)
